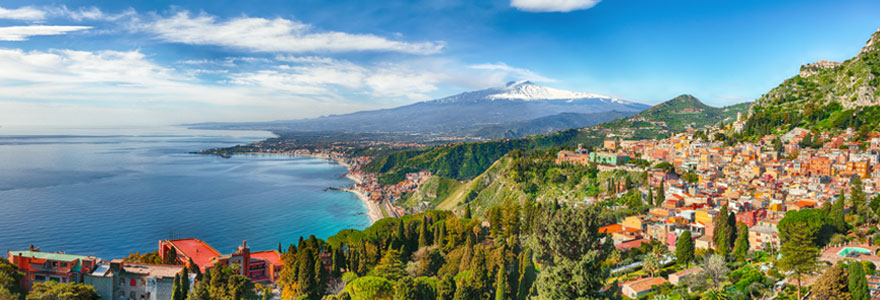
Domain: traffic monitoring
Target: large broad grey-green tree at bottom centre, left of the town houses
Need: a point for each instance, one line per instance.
(572, 251)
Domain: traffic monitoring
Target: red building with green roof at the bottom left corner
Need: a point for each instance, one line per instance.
(44, 266)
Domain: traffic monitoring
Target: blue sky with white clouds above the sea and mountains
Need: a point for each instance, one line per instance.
(140, 62)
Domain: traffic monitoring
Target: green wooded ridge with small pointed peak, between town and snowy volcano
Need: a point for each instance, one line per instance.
(466, 161)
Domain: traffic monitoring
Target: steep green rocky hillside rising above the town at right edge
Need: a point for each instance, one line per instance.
(824, 95)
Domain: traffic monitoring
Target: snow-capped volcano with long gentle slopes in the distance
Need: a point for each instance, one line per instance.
(515, 110)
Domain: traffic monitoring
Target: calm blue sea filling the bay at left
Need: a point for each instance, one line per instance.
(109, 192)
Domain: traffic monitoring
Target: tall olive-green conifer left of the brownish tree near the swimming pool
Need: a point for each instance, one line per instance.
(798, 252)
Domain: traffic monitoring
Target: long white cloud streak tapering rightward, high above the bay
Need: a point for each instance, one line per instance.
(276, 35)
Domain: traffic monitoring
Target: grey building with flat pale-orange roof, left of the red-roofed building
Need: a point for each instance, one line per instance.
(130, 281)
